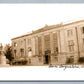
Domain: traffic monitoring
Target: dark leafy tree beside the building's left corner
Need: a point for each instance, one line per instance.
(8, 53)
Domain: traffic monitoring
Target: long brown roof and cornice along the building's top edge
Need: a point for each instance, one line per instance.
(46, 27)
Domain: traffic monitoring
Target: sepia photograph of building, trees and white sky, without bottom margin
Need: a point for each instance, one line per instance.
(41, 34)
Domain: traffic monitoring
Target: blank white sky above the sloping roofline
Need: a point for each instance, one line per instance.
(18, 19)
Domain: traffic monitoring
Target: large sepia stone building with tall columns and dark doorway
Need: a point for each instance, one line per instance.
(56, 44)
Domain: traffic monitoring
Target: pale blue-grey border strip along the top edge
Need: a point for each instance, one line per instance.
(42, 1)
